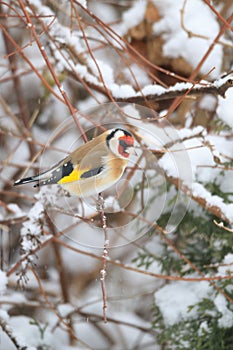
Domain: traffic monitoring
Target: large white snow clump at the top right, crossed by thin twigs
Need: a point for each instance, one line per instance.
(178, 44)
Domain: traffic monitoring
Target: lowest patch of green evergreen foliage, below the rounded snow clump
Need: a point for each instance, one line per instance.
(200, 333)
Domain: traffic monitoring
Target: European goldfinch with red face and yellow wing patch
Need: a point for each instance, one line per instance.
(91, 168)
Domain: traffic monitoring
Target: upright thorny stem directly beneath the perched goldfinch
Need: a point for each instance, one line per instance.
(103, 271)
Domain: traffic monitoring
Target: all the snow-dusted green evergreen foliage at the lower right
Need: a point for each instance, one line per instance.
(205, 245)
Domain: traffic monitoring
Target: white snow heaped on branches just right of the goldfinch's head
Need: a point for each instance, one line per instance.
(202, 167)
